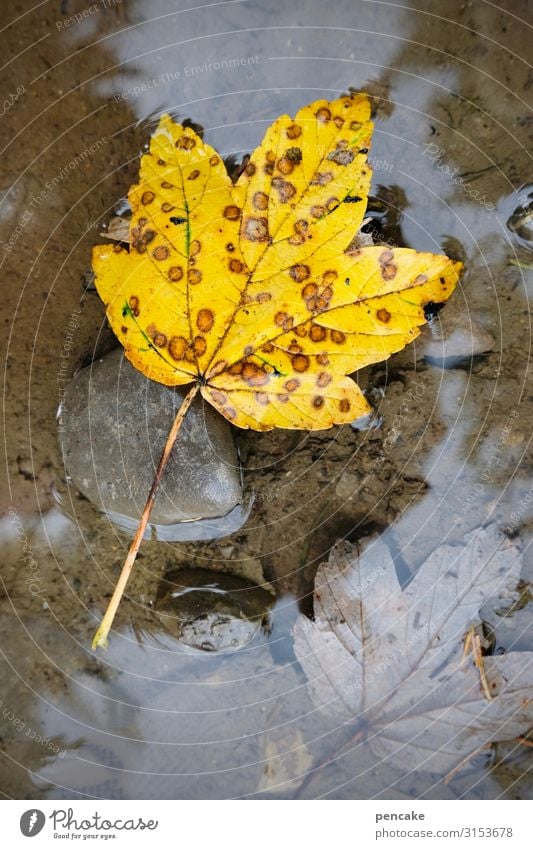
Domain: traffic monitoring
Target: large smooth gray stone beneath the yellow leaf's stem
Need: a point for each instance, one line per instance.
(113, 424)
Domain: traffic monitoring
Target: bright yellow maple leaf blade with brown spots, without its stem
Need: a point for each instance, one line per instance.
(252, 291)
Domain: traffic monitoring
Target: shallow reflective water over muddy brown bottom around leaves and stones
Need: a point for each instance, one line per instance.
(153, 717)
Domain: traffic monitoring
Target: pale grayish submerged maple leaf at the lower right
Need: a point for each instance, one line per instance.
(389, 661)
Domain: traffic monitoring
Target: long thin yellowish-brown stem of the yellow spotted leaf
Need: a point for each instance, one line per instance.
(100, 638)
